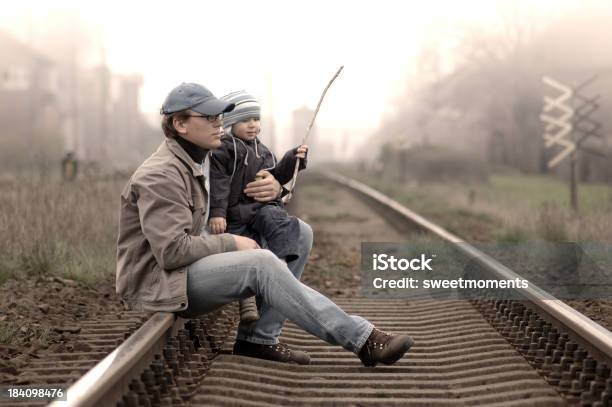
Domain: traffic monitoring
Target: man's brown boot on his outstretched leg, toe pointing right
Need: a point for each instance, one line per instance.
(383, 347)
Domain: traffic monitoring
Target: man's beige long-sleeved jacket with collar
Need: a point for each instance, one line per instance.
(163, 208)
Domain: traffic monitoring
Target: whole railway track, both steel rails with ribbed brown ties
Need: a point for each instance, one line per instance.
(512, 353)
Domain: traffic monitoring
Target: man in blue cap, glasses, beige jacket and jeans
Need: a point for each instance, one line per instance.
(166, 263)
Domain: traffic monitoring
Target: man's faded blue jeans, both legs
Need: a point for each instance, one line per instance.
(219, 279)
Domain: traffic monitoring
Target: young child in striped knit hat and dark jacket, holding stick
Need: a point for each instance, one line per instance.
(238, 161)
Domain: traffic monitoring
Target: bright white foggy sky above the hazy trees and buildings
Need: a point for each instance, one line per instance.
(283, 52)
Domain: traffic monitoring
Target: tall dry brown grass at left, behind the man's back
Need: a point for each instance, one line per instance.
(50, 227)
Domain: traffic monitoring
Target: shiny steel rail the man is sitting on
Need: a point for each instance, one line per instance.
(106, 382)
